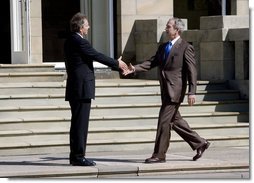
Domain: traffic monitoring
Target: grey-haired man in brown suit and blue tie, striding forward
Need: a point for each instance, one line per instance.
(176, 63)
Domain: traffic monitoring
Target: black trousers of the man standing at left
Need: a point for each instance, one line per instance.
(80, 110)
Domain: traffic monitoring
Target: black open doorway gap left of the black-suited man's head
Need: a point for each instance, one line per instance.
(56, 15)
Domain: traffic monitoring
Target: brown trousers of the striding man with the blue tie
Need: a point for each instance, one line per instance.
(170, 118)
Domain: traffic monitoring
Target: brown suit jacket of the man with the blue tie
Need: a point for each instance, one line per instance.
(179, 68)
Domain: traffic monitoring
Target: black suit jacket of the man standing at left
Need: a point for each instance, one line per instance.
(79, 56)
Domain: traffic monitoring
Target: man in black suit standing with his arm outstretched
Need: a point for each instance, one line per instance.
(80, 86)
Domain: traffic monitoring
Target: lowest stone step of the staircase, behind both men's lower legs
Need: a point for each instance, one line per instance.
(62, 147)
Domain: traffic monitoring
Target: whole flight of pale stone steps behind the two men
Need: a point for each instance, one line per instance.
(34, 118)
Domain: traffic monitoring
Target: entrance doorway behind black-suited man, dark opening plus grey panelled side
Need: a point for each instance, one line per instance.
(55, 25)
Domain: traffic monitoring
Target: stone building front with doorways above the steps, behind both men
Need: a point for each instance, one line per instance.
(33, 31)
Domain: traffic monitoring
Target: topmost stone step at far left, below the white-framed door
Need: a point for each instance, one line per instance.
(13, 68)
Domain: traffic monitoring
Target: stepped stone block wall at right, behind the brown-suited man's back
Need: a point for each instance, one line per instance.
(222, 50)
